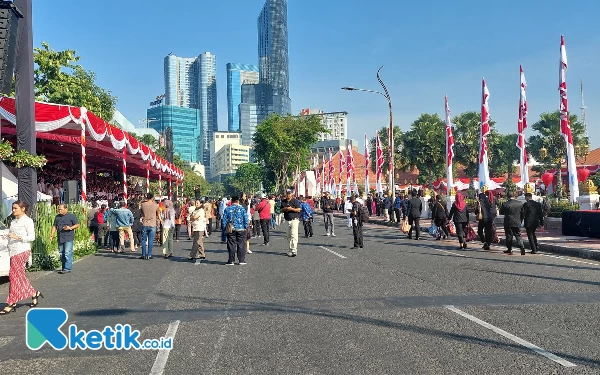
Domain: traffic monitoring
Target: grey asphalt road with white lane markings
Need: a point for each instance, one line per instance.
(397, 306)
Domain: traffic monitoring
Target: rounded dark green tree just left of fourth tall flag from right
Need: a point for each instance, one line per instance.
(425, 147)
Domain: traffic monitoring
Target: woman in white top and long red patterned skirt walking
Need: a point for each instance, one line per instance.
(20, 236)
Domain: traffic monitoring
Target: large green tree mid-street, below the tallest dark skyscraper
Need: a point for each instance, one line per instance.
(282, 144)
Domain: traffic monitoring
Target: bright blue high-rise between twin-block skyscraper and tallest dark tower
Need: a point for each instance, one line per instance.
(237, 75)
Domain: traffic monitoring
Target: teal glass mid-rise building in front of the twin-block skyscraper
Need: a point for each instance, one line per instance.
(185, 126)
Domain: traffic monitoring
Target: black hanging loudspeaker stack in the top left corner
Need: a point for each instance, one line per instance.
(9, 19)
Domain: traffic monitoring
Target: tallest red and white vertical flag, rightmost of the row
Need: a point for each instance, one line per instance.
(565, 127)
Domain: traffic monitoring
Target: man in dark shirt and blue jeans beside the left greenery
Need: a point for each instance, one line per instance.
(65, 224)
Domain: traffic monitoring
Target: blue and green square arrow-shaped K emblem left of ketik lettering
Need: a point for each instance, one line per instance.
(43, 325)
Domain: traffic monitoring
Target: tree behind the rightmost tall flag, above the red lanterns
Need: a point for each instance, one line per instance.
(550, 139)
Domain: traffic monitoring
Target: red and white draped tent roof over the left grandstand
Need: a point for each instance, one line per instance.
(58, 133)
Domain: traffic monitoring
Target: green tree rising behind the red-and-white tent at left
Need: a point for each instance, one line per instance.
(58, 79)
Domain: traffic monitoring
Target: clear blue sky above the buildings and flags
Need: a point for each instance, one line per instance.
(428, 49)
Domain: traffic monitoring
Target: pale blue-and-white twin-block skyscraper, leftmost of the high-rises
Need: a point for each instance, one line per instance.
(192, 83)
